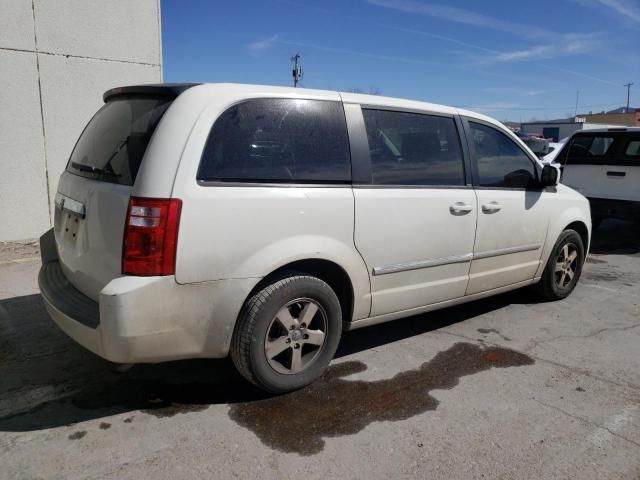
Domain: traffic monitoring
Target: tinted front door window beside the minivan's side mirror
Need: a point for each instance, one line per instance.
(501, 162)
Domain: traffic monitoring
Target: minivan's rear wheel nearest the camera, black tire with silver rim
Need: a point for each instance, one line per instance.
(287, 333)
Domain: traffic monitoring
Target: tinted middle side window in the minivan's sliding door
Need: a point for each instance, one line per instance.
(413, 149)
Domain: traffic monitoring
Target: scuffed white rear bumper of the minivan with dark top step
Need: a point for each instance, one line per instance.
(144, 319)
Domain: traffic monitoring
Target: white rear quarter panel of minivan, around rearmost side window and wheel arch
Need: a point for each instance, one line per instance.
(234, 232)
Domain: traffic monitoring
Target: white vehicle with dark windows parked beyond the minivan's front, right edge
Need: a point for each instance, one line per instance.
(604, 165)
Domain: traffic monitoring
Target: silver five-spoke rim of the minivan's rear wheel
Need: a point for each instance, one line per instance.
(295, 336)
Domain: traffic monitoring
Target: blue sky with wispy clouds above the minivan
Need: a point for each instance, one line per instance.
(511, 60)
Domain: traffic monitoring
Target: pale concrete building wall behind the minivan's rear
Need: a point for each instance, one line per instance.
(56, 60)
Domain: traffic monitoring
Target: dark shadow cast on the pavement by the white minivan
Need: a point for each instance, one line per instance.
(46, 380)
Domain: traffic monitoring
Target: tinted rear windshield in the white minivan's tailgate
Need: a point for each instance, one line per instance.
(113, 143)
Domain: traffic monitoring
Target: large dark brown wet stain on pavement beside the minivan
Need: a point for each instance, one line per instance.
(333, 406)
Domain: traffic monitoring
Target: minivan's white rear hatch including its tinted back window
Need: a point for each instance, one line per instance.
(93, 193)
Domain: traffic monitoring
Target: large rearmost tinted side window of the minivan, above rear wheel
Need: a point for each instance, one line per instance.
(278, 140)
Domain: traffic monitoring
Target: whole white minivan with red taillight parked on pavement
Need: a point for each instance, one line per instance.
(259, 222)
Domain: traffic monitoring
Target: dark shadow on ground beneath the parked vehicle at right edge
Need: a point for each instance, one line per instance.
(616, 237)
